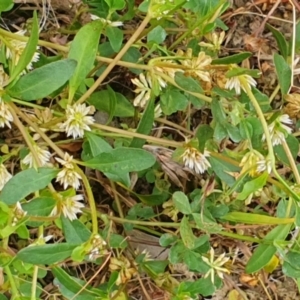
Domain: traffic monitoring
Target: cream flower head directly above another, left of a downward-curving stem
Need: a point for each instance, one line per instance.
(68, 176)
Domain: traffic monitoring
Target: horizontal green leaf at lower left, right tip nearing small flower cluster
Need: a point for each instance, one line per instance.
(46, 254)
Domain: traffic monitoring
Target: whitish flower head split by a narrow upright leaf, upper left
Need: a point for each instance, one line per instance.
(16, 48)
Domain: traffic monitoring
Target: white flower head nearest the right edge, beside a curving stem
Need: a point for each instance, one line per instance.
(279, 130)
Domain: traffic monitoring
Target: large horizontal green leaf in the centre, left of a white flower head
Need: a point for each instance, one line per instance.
(122, 160)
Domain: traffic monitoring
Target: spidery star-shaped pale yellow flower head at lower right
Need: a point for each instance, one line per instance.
(215, 265)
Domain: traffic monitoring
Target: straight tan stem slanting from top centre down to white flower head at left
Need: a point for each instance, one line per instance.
(115, 60)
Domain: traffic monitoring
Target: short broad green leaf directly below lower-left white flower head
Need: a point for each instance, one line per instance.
(74, 231)
